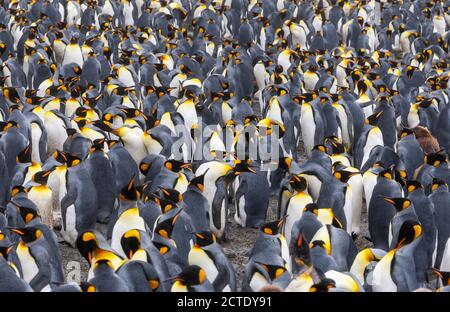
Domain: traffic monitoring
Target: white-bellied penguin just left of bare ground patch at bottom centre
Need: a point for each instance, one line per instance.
(208, 255)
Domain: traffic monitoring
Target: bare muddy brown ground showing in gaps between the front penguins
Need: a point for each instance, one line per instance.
(238, 247)
